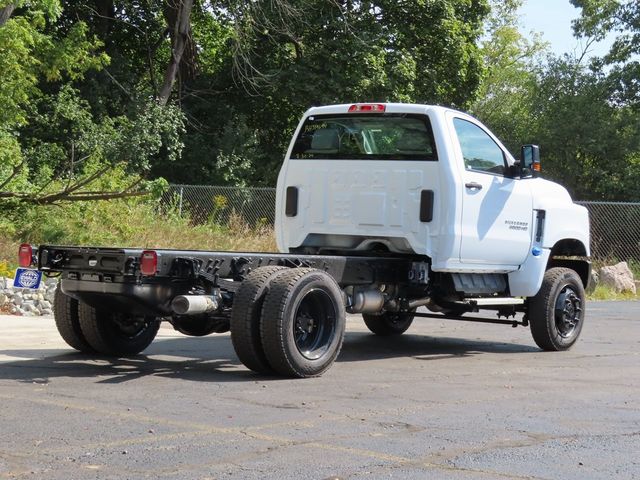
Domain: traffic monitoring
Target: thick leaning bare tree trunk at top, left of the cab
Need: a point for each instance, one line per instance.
(178, 15)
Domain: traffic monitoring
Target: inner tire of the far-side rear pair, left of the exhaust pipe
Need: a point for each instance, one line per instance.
(116, 334)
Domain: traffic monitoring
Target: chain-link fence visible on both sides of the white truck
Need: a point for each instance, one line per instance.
(615, 227)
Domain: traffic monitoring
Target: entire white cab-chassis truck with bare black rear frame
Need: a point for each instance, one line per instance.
(381, 209)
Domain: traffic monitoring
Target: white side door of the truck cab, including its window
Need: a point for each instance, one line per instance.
(497, 211)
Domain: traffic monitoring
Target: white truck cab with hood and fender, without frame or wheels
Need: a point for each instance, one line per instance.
(423, 180)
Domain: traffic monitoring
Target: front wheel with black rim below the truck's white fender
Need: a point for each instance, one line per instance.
(556, 312)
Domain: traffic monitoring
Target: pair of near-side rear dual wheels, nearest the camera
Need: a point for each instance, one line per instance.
(288, 321)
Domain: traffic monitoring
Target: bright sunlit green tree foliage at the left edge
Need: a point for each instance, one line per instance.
(53, 147)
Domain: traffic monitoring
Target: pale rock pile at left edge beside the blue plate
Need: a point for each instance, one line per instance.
(26, 302)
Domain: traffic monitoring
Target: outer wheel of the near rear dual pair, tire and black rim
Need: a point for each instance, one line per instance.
(303, 322)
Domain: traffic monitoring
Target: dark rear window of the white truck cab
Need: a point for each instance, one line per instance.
(365, 137)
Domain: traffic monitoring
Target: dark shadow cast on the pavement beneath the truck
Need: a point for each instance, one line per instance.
(212, 359)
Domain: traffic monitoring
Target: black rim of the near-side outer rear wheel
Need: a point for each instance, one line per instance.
(314, 324)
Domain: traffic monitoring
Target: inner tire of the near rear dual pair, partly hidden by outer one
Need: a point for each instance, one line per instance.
(245, 318)
